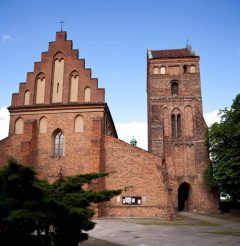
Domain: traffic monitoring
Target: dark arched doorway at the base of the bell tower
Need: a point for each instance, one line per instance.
(183, 196)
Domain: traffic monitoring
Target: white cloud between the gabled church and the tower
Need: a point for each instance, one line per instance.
(137, 129)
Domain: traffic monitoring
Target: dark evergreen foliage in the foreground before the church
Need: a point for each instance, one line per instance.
(34, 212)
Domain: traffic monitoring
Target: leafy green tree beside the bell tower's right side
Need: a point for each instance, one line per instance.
(223, 140)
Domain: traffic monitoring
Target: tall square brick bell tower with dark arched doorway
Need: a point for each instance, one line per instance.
(176, 126)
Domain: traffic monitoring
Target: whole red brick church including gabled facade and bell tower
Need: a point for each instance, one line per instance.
(60, 124)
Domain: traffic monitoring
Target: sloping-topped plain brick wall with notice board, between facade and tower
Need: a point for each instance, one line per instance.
(142, 174)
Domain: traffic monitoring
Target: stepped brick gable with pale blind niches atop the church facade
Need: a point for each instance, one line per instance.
(38, 90)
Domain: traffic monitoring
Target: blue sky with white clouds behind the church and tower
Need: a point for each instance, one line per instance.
(113, 37)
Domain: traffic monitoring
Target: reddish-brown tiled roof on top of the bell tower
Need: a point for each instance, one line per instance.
(186, 52)
